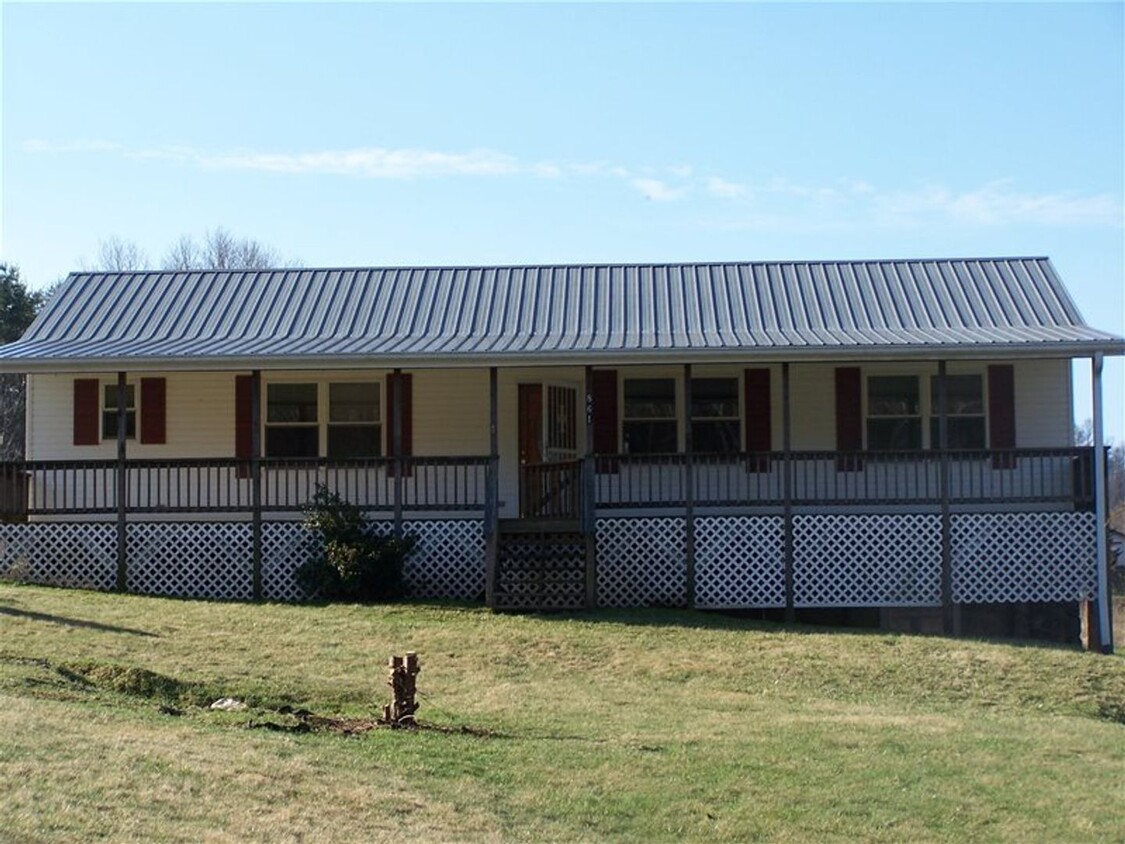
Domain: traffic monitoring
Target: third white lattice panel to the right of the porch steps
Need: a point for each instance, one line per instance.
(868, 561)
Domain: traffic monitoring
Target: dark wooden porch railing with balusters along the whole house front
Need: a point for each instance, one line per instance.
(1050, 478)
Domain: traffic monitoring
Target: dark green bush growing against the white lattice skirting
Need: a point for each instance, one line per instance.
(350, 564)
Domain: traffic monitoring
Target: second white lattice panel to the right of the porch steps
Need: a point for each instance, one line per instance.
(740, 562)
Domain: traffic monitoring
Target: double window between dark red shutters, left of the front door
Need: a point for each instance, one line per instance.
(294, 420)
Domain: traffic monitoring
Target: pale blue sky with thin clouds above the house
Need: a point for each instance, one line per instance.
(400, 134)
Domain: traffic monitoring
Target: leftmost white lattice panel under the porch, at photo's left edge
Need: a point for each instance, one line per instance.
(65, 554)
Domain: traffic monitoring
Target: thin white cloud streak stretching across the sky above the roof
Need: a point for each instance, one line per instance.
(776, 203)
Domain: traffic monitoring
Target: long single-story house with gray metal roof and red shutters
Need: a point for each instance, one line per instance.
(887, 439)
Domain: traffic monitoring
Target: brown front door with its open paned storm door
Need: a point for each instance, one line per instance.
(548, 435)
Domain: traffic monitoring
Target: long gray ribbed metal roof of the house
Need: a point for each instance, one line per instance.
(473, 316)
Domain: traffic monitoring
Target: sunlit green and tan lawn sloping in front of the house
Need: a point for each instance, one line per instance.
(610, 726)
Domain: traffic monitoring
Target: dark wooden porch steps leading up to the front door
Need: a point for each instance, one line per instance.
(541, 565)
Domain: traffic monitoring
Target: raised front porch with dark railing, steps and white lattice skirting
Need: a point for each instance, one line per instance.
(750, 531)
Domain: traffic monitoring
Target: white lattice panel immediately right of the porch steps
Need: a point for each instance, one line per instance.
(642, 562)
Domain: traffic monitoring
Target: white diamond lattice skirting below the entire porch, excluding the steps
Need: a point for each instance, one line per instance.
(839, 561)
